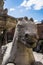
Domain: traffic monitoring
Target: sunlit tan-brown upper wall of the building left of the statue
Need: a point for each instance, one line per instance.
(9, 23)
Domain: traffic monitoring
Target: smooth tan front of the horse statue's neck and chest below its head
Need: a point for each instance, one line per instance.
(24, 55)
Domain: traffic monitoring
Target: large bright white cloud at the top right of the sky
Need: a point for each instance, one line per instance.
(38, 4)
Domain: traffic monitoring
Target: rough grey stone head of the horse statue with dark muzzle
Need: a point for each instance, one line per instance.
(27, 32)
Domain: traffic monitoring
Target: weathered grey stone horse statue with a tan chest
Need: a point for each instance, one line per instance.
(19, 51)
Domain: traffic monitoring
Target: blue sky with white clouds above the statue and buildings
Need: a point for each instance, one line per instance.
(29, 8)
